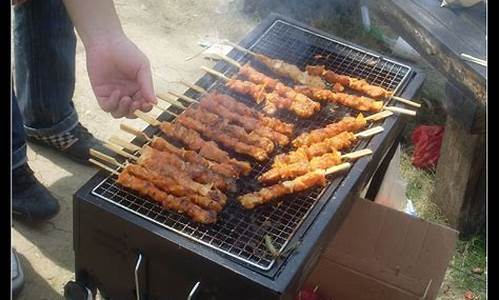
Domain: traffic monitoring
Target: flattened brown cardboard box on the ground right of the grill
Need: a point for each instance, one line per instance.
(381, 253)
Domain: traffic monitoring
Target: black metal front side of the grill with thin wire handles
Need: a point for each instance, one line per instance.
(107, 256)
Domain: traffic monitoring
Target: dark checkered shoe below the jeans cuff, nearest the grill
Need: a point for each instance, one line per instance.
(74, 144)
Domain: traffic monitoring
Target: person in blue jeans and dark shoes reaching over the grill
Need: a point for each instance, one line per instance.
(42, 108)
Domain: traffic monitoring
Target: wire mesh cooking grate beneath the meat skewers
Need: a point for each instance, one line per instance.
(240, 233)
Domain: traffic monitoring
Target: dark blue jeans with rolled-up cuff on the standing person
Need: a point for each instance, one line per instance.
(44, 53)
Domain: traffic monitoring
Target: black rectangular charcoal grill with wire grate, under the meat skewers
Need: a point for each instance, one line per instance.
(130, 248)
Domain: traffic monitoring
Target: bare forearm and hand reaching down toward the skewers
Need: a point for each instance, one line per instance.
(119, 72)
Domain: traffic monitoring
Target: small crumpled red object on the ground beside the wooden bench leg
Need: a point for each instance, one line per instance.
(427, 141)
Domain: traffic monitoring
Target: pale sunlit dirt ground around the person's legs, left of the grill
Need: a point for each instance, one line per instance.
(168, 32)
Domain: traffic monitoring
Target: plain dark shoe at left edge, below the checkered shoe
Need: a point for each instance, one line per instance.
(30, 199)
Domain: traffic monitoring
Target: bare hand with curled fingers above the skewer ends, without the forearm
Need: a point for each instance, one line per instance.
(121, 78)
